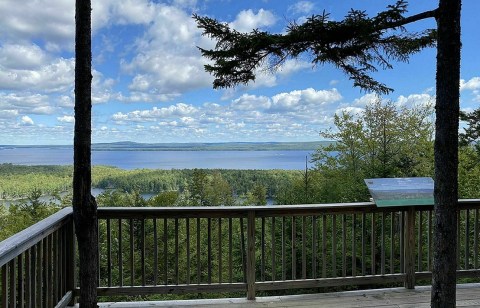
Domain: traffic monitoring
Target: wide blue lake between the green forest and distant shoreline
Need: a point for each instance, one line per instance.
(288, 160)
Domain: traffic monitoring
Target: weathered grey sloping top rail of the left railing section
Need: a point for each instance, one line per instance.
(20, 242)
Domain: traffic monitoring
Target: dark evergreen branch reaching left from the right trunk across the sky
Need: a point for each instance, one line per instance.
(358, 45)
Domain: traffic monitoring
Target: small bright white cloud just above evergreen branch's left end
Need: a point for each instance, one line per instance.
(247, 20)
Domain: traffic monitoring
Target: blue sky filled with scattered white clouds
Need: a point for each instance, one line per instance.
(149, 84)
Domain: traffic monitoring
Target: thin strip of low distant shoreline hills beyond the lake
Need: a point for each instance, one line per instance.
(224, 146)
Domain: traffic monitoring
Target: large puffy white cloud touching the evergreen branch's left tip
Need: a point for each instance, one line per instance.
(167, 61)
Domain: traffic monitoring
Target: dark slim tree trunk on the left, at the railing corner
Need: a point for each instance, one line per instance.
(84, 205)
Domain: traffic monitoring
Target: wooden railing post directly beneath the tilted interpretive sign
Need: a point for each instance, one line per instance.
(410, 249)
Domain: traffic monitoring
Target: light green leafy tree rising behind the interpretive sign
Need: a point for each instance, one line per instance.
(383, 141)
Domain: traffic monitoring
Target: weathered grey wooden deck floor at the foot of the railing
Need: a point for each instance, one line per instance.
(468, 295)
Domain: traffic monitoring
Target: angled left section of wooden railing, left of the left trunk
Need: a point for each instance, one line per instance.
(37, 264)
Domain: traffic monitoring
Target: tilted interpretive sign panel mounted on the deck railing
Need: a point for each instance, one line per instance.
(401, 191)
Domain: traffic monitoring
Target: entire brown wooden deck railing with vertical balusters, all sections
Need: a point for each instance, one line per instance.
(238, 250)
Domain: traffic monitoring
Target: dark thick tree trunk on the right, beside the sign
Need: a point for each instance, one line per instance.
(446, 154)
